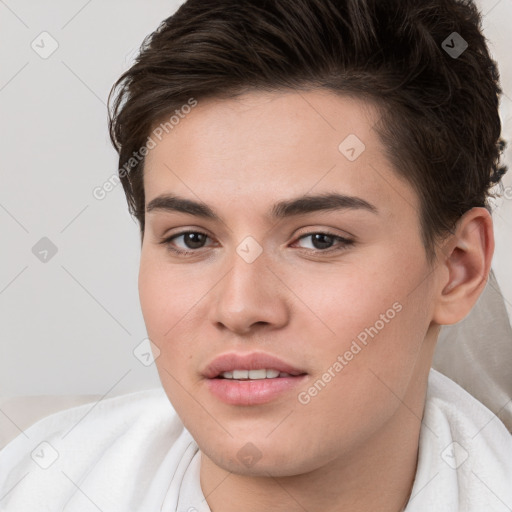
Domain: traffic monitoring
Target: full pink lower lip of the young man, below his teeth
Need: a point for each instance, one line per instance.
(252, 392)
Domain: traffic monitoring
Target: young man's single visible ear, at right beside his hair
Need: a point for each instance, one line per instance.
(465, 262)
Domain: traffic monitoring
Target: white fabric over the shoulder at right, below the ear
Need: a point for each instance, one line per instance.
(465, 453)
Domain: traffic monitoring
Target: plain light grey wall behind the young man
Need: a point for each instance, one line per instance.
(70, 325)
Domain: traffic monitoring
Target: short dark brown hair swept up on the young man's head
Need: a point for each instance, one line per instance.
(440, 120)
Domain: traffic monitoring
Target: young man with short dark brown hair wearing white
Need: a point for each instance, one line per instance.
(311, 181)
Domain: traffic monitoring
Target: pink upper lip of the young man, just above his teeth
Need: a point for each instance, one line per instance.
(252, 361)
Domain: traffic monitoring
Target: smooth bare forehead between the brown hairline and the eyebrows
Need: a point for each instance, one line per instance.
(269, 146)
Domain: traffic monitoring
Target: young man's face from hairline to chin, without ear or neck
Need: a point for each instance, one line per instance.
(335, 293)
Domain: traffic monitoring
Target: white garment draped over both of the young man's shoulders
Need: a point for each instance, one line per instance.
(132, 453)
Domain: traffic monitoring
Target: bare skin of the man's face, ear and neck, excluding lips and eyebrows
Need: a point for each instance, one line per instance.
(354, 445)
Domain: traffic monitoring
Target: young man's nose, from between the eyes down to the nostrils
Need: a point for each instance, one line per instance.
(250, 295)
